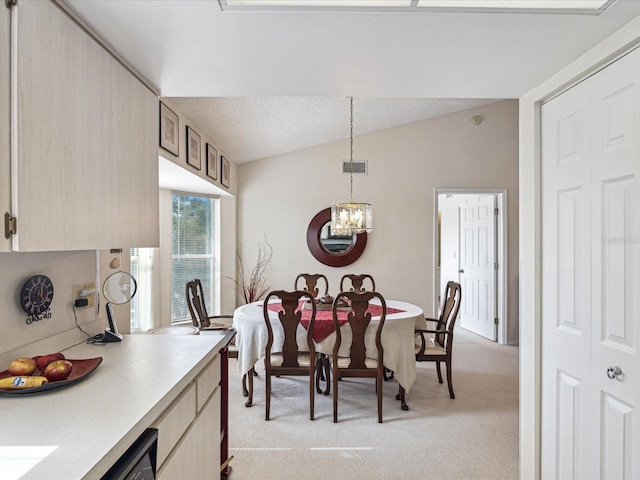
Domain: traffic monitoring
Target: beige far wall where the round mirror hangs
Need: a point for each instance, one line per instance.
(279, 196)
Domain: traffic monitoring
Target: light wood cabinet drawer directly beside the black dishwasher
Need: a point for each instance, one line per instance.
(175, 422)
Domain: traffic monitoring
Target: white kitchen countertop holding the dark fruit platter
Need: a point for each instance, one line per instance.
(79, 431)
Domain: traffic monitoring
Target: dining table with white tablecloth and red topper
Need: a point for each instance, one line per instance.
(397, 336)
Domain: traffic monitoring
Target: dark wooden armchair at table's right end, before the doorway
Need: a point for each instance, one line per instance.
(439, 348)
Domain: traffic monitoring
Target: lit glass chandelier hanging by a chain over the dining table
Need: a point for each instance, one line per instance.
(349, 217)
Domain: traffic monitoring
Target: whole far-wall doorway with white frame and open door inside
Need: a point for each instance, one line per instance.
(470, 248)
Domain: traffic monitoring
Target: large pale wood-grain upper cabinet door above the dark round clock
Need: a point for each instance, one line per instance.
(84, 160)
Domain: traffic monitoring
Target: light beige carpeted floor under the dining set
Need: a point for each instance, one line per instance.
(474, 436)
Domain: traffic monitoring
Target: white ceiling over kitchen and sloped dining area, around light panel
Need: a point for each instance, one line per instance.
(265, 83)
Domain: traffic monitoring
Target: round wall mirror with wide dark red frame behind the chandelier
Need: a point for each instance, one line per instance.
(333, 250)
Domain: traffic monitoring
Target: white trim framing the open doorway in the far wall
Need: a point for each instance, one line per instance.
(502, 257)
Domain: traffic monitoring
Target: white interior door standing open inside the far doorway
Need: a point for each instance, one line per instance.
(478, 266)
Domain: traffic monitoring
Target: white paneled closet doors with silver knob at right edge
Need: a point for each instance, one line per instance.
(591, 277)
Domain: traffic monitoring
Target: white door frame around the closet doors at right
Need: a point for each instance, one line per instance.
(530, 233)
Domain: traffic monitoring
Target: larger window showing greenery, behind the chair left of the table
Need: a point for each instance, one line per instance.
(192, 254)
